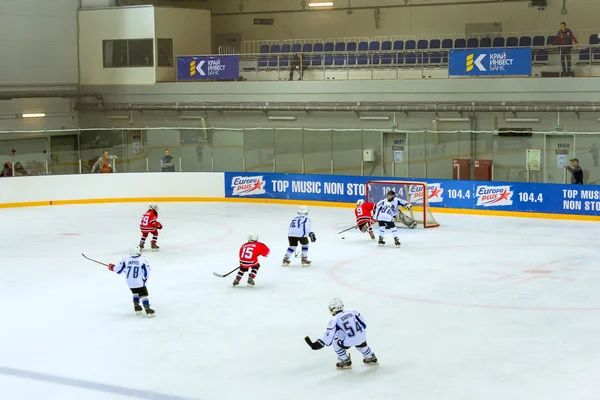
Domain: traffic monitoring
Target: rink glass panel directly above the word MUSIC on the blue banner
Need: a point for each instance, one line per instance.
(316, 148)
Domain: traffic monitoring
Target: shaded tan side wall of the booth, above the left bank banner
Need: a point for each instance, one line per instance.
(190, 31)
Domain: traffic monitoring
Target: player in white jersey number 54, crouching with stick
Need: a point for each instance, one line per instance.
(346, 329)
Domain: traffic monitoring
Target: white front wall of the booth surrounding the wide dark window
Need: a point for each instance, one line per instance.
(106, 24)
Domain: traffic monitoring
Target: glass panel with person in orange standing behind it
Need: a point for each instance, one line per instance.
(105, 148)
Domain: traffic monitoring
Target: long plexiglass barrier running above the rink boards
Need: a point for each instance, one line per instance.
(463, 155)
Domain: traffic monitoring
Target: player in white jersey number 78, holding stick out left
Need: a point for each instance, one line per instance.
(136, 270)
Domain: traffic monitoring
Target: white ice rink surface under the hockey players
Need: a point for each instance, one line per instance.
(480, 308)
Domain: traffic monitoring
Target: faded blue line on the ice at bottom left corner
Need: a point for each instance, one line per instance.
(87, 385)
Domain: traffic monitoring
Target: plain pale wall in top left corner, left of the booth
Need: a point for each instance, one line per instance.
(38, 42)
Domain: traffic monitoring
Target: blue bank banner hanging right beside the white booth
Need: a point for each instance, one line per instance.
(208, 68)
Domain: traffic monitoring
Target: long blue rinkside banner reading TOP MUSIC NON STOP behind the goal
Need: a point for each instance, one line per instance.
(474, 195)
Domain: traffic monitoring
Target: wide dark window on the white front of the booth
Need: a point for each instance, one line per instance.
(128, 53)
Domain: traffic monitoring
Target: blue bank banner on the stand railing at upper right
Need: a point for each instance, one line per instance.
(490, 62)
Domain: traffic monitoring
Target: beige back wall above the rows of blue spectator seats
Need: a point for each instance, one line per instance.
(418, 20)
